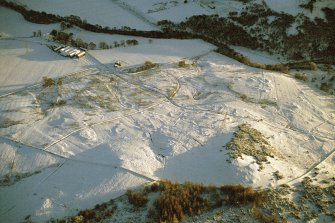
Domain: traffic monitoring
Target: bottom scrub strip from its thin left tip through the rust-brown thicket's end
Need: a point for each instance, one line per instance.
(170, 202)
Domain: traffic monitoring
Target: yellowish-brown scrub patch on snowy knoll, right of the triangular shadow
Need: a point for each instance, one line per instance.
(250, 142)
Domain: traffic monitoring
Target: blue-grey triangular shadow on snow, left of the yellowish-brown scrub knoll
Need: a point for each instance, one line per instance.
(204, 164)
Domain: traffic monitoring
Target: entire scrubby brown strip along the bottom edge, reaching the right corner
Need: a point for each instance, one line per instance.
(172, 202)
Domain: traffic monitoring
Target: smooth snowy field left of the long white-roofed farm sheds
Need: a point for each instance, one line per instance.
(25, 61)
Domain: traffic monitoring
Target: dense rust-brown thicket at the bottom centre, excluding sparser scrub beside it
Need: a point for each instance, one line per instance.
(178, 200)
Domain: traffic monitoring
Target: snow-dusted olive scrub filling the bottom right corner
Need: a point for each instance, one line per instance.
(306, 202)
